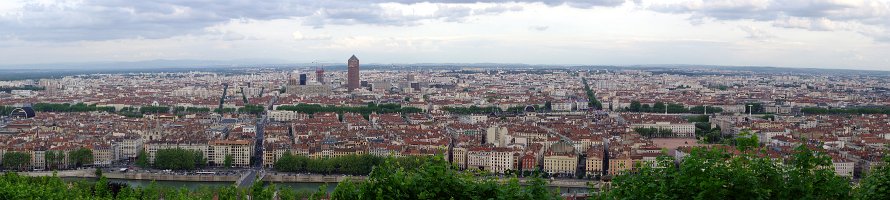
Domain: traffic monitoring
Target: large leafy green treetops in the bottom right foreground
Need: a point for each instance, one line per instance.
(718, 174)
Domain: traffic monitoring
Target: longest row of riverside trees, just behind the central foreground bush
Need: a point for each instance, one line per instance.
(349, 164)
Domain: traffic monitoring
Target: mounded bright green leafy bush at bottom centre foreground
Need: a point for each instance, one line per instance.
(436, 179)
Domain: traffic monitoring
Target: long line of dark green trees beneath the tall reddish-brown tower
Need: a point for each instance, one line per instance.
(364, 110)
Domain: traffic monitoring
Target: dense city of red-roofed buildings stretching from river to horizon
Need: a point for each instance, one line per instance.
(577, 126)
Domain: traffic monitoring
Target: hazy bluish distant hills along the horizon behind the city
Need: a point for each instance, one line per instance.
(35, 71)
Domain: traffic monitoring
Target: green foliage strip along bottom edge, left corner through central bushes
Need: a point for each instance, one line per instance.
(433, 179)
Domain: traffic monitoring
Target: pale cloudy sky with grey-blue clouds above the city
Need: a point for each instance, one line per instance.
(852, 34)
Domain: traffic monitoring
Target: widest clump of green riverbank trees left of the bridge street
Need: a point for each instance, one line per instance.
(175, 159)
